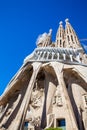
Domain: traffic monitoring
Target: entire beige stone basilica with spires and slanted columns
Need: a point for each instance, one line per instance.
(50, 88)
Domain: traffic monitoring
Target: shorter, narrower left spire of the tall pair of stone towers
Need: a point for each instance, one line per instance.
(60, 36)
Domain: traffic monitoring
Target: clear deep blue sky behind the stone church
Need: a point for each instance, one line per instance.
(21, 21)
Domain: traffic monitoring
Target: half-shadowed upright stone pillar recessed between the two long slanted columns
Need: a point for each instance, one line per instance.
(50, 89)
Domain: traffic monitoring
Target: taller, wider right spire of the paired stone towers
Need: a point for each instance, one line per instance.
(71, 39)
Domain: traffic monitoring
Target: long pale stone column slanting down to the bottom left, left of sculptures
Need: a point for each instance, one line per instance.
(18, 122)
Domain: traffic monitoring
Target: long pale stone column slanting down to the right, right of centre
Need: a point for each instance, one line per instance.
(70, 114)
